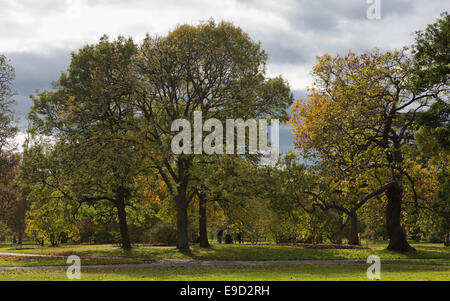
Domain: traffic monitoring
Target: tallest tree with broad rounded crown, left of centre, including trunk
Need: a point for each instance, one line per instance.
(213, 68)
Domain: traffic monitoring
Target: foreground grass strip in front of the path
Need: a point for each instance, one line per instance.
(249, 273)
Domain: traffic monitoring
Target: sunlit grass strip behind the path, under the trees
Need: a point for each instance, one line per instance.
(242, 252)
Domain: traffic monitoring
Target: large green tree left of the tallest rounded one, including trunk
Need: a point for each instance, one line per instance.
(90, 119)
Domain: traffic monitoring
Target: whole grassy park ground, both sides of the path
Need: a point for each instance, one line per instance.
(430, 262)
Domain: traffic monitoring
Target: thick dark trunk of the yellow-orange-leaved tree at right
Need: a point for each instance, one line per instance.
(397, 237)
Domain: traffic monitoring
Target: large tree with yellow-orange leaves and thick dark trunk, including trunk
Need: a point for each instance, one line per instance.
(360, 110)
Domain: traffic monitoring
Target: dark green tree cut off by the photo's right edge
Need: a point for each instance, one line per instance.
(432, 60)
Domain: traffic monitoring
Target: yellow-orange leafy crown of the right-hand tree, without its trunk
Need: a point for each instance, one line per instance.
(346, 104)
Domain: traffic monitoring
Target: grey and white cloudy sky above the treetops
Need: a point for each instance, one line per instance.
(38, 36)
